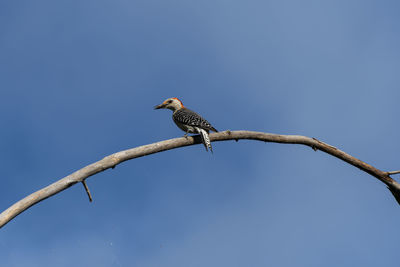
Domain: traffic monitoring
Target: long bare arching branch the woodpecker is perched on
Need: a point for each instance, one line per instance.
(119, 157)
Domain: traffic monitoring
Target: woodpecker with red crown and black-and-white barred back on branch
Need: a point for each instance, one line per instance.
(188, 121)
